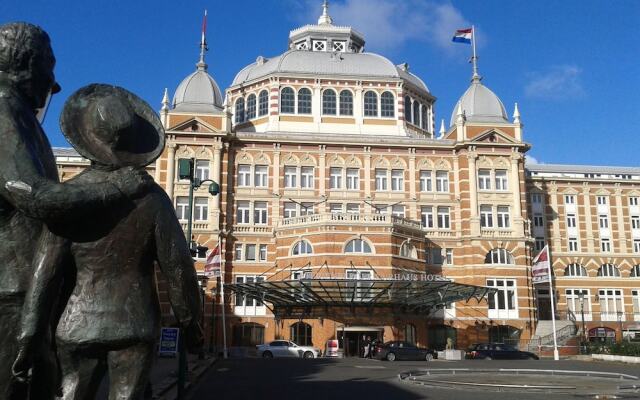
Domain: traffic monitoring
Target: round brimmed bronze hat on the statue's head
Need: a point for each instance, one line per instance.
(112, 126)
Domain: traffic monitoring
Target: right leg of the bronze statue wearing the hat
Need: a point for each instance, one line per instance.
(129, 371)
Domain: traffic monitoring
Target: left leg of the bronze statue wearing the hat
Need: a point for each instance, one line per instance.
(82, 372)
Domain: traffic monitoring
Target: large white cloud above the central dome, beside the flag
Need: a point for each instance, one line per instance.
(387, 24)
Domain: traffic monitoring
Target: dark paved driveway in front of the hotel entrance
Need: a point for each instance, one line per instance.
(357, 379)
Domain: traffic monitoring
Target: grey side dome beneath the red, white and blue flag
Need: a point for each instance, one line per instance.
(480, 104)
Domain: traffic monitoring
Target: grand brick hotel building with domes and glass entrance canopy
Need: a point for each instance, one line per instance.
(343, 212)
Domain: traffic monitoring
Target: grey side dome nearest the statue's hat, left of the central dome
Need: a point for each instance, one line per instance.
(198, 92)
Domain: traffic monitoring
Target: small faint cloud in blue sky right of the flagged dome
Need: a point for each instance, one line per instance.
(559, 82)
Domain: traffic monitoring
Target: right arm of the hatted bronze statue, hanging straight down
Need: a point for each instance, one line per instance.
(176, 264)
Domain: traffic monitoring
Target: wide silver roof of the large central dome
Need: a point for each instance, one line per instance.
(314, 63)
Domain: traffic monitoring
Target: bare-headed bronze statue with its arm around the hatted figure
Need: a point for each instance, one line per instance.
(30, 193)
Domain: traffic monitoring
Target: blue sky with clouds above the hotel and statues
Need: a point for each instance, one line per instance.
(572, 66)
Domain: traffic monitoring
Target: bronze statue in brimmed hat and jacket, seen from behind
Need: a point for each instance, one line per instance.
(111, 315)
